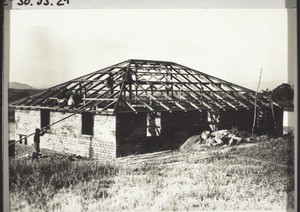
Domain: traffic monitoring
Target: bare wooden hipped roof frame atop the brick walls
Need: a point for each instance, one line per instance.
(146, 86)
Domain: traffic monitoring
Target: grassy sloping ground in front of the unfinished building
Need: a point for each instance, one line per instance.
(256, 176)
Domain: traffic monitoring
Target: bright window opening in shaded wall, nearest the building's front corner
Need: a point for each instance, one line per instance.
(153, 124)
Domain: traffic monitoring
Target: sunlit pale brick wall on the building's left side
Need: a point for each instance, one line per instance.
(66, 136)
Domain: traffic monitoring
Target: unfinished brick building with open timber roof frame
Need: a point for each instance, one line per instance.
(140, 106)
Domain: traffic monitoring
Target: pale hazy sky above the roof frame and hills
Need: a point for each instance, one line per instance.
(48, 47)
